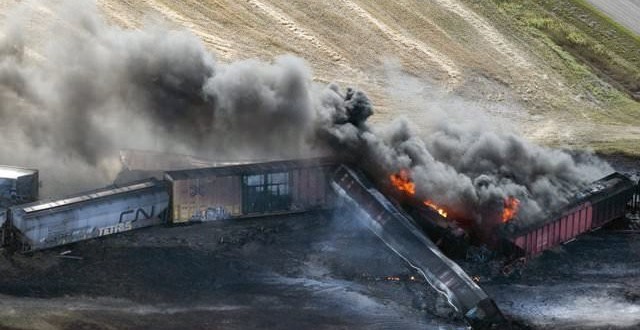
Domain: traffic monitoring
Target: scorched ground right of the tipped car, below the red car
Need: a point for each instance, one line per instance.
(590, 283)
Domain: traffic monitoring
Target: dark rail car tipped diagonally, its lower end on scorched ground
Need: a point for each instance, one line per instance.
(399, 232)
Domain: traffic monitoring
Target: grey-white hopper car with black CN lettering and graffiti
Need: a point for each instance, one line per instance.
(98, 213)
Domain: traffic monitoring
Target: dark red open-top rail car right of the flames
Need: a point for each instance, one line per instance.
(603, 201)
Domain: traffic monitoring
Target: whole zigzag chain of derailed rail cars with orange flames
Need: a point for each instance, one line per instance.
(407, 225)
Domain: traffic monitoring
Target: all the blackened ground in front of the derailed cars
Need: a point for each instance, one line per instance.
(314, 270)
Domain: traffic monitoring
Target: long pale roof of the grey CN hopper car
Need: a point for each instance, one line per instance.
(88, 196)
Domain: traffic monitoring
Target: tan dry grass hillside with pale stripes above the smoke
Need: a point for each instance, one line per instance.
(506, 52)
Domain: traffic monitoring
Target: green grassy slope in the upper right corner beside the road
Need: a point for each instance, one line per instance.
(599, 58)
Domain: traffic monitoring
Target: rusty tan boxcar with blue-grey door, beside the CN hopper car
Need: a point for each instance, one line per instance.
(249, 189)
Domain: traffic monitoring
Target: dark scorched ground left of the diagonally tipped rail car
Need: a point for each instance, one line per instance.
(293, 272)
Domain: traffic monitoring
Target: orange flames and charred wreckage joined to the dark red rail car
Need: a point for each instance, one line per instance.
(604, 200)
